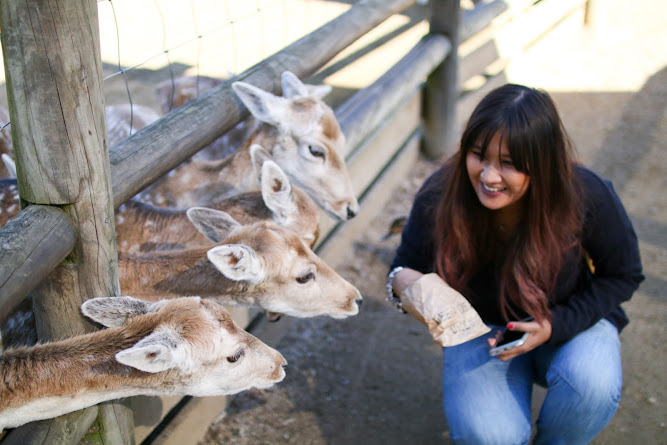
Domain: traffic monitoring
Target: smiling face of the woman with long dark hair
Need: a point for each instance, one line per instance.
(497, 183)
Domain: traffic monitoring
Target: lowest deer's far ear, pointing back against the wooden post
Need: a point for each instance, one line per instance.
(115, 311)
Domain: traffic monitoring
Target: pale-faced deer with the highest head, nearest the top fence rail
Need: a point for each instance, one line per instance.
(303, 137)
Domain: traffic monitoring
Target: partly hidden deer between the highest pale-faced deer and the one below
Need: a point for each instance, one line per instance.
(142, 227)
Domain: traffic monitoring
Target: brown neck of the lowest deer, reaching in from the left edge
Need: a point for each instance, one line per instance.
(48, 380)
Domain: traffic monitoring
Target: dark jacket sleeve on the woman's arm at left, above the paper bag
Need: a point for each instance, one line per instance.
(416, 248)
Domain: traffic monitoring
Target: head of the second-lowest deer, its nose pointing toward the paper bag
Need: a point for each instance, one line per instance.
(280, 273)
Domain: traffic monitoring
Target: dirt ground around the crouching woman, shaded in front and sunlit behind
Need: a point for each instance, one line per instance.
(375, 378)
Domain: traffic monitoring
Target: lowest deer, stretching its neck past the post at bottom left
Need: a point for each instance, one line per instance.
(184, 346)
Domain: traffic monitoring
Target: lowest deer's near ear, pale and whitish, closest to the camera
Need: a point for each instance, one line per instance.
(159, 351)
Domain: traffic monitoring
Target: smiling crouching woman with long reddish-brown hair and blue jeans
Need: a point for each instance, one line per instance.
(521, 230)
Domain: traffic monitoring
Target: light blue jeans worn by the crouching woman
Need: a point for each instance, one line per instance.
(487, 401)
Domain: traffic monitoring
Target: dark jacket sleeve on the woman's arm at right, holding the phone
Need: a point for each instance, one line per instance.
(610, 241)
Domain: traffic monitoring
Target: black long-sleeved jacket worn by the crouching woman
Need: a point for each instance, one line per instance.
(580, 298)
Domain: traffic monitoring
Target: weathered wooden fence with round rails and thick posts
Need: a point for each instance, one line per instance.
(61, 247)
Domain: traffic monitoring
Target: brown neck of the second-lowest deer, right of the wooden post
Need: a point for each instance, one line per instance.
(182, 273)
